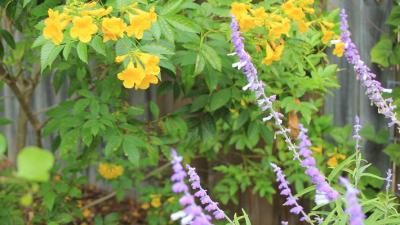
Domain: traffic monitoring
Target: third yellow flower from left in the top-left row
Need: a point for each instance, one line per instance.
(113, 28)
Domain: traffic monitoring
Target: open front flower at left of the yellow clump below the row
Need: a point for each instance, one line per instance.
(132, 76)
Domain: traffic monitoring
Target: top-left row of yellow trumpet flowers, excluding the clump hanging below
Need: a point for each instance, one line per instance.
(90, 18)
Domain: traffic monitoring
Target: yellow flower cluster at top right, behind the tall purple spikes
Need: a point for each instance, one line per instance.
(292, 14)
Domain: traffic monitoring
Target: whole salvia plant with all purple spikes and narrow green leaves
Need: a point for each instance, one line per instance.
(337, 198)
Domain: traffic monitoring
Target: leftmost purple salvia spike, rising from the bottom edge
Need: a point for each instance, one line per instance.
(191, 214)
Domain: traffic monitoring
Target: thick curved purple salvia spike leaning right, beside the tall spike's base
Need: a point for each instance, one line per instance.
(308, 162)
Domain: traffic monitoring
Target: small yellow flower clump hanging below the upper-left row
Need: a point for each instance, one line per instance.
(142, 70)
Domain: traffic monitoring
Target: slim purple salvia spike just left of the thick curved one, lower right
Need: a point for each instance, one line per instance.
(291, 201)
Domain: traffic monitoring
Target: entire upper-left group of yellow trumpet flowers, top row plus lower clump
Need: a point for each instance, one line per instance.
(83, 21)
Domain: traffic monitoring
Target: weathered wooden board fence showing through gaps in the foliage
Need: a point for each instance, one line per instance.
(366, 19)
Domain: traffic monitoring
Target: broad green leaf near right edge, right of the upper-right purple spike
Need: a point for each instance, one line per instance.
(381, 52)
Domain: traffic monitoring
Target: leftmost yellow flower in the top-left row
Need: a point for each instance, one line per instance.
(54, 26)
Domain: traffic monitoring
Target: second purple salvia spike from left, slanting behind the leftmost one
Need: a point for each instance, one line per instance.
(205, 199)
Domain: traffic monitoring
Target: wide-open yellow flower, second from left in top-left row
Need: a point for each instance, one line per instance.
(83, 28)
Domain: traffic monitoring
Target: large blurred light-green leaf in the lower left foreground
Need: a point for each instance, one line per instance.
(34, 164)
